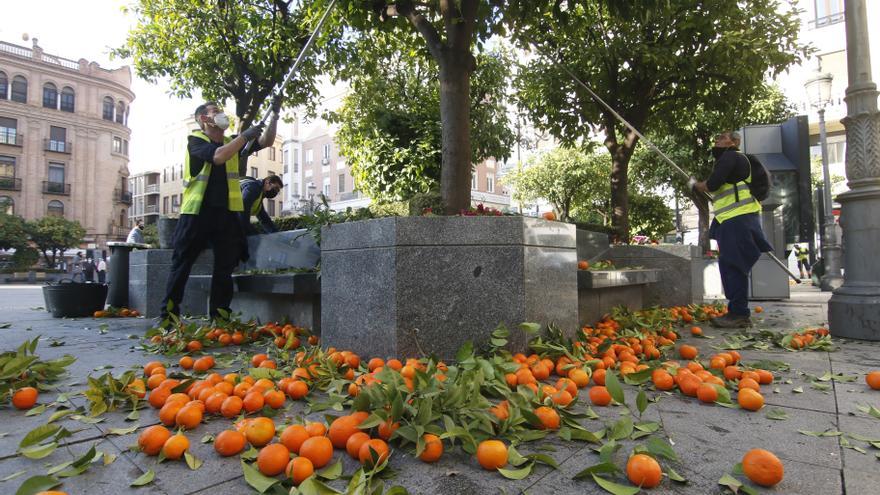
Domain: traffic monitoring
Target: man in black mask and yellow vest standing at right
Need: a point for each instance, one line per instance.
(736, 226)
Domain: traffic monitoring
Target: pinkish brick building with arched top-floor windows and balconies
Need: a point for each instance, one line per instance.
(64, 140)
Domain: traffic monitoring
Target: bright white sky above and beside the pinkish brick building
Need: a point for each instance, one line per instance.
(88, 29)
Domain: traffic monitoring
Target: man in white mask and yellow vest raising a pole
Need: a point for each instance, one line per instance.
(211, 204)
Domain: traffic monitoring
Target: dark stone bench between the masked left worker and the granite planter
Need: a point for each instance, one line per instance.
(293, 297)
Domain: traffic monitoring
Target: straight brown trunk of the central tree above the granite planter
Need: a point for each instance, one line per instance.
(455, 172)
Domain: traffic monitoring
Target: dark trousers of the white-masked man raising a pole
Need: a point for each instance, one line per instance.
(214, 227)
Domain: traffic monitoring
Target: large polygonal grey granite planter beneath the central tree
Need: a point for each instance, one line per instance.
(406, 285)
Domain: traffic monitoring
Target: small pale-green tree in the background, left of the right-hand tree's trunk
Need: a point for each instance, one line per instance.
(567, 178)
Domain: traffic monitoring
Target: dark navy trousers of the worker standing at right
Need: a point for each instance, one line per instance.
(740, 243)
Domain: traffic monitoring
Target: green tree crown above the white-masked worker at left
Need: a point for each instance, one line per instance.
(238, 50)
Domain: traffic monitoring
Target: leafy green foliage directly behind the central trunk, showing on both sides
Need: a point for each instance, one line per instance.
(393, 143)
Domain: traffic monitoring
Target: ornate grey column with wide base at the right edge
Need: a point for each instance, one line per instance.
(854, 308)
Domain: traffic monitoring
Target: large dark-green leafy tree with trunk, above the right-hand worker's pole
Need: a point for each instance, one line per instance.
(664, 63)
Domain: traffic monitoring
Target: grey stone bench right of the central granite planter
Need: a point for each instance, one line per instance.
(601, 290)
